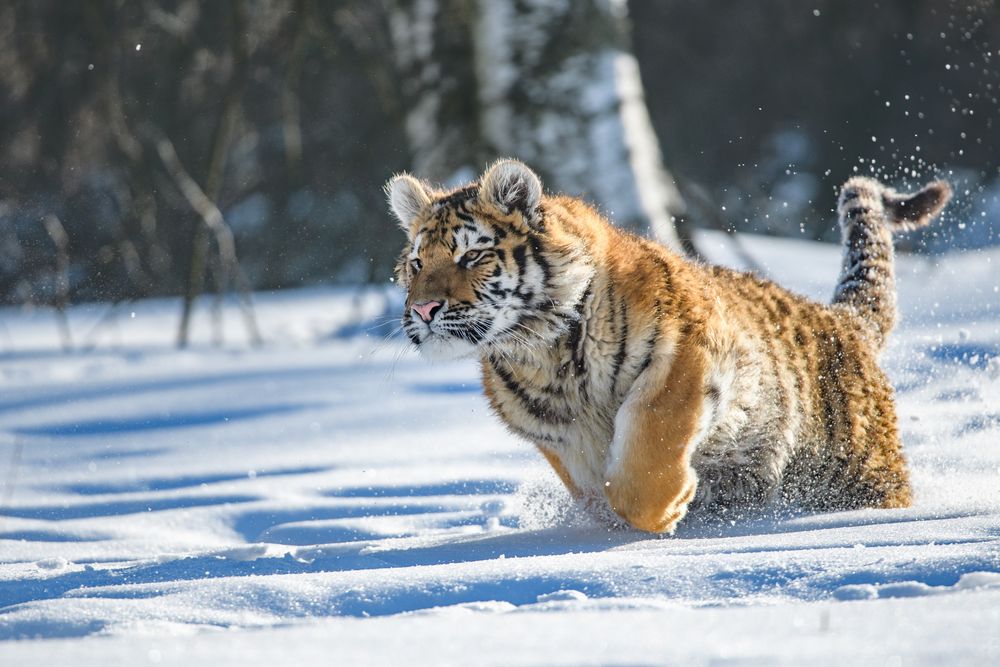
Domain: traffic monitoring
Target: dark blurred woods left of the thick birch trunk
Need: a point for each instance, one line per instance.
(284, 114)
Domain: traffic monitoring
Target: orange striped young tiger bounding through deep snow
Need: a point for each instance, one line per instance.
(653, 383)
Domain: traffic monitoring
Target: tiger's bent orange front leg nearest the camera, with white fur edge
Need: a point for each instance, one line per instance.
(649, 480)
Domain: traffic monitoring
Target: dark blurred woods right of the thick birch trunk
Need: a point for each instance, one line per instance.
(772, 105)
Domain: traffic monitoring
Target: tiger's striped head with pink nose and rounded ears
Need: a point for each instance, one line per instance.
(485, 265)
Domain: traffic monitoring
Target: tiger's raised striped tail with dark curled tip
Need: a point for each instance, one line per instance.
(869, 214)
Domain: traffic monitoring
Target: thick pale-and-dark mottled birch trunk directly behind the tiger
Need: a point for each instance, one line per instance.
(551, 82)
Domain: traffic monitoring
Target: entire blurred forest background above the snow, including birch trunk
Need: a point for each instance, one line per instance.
(165, 147)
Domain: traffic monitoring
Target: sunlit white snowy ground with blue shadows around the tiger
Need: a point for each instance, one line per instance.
(337, 500)
